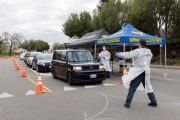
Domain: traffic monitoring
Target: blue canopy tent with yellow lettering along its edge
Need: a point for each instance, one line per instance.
(130, 36)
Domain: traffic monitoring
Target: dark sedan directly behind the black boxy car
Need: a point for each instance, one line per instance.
(42, 62)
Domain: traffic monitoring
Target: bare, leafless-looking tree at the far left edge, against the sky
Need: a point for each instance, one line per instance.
(12, 40)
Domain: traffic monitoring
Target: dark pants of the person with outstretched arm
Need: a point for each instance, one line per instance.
(133, 86)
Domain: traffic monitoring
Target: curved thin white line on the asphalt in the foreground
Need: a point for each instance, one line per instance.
(91, 118)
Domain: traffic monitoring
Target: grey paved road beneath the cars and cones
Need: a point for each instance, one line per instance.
(84, 101)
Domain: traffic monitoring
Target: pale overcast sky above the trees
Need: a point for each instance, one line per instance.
(40, 19)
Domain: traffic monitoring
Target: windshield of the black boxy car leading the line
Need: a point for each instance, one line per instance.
(79, 56)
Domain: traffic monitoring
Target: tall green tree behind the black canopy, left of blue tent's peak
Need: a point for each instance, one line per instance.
(107, 16)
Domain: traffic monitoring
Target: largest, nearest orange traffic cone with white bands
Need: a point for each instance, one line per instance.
(39, 86)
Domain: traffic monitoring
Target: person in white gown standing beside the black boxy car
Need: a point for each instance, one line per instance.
(105, 57)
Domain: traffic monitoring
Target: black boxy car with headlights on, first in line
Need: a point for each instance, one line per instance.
(76, 66)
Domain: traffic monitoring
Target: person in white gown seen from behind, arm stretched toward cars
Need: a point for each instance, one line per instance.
(138, 76)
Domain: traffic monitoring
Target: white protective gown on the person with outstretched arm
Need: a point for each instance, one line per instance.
(141, 58)
